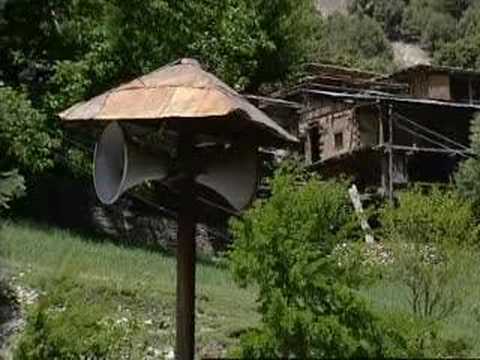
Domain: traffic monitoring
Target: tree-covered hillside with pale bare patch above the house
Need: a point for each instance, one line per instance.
(443, 32)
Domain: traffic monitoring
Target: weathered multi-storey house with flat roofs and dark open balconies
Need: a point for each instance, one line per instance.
(385, 131)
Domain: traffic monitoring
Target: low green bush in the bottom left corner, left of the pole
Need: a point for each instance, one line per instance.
(65, 324)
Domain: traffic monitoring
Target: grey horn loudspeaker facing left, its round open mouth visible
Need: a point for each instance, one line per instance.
(119, 166)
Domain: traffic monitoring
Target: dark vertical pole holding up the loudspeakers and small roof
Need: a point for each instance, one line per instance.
(185, 318)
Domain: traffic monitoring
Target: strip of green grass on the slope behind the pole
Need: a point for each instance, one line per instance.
(132, 281)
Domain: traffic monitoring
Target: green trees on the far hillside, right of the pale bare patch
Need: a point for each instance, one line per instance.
(449, 28)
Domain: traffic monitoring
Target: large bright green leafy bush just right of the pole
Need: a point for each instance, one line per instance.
(288, 247)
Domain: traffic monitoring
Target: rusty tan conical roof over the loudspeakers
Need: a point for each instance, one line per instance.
(181, 90)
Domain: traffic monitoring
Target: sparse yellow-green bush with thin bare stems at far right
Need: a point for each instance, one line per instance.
(433, 236)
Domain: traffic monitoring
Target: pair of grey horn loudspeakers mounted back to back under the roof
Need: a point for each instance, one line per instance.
(120, 165)
